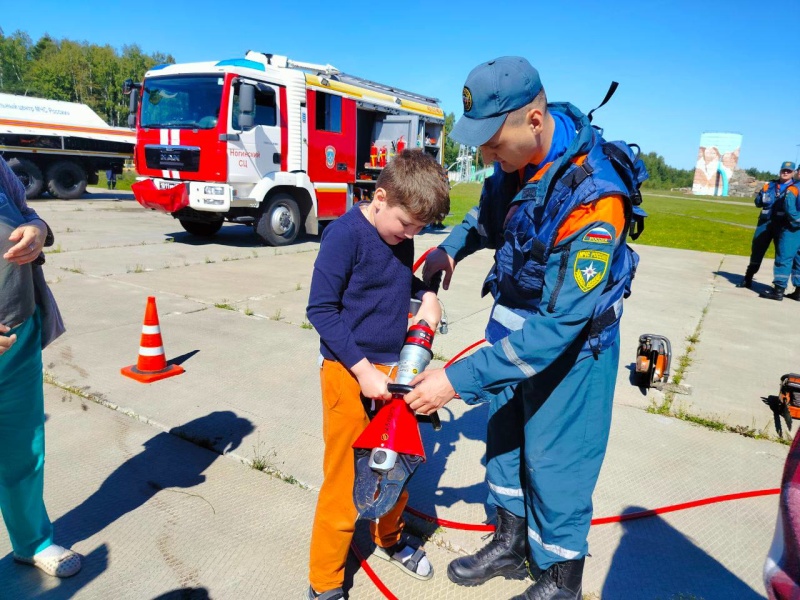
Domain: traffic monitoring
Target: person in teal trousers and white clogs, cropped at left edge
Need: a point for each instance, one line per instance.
(29, 320)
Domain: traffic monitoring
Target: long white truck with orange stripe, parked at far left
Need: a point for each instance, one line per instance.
(59, 146)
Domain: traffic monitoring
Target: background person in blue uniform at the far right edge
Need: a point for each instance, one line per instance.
(786, 213)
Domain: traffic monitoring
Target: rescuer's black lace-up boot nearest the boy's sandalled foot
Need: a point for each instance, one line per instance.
(503, 556)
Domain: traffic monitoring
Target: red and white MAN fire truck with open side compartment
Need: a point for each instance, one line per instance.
(264, 140)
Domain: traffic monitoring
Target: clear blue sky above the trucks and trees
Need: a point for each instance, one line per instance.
(684, 67)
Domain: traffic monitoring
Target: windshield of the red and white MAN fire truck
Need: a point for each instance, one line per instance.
(181, 102)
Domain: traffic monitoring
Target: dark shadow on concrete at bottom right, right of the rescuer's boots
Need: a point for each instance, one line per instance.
(655, 560)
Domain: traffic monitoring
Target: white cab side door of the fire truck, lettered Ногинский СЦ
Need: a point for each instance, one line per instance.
(257, 152)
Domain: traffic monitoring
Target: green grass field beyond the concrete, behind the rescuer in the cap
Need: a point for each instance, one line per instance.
(674, 220)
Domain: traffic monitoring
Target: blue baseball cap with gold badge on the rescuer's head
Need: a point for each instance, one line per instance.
(492, 90)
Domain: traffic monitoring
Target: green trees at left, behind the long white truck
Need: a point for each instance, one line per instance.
(73, 72)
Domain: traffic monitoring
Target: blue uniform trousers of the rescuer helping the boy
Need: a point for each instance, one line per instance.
(546, 442)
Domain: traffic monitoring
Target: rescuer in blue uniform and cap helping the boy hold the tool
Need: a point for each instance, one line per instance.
(557, 217)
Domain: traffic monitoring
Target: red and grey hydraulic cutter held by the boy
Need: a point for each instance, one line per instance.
(390, 449)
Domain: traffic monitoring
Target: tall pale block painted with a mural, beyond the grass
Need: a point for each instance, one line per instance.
(716, 161)
